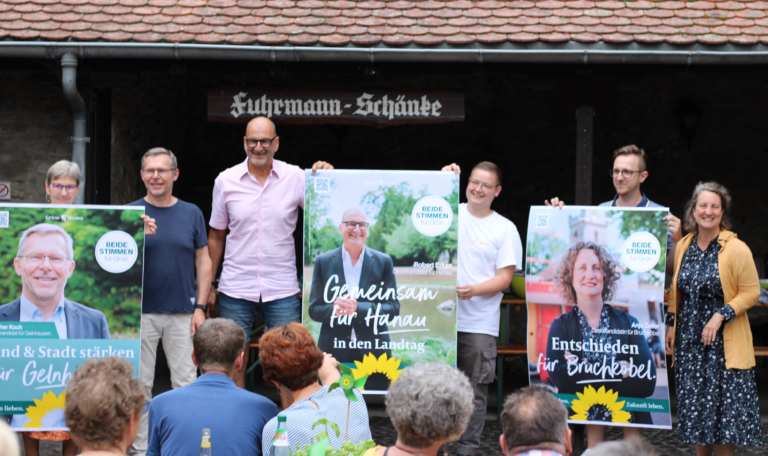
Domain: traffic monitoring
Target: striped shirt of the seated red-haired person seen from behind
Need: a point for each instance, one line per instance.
(333, 407)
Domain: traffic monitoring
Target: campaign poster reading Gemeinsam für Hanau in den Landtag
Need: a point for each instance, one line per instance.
(379, 286)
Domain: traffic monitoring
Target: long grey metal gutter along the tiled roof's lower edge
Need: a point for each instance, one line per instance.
(538, 52)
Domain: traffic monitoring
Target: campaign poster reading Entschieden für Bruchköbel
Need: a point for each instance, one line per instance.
(595, 292)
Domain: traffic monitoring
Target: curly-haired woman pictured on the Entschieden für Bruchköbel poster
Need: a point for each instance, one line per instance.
(595, 341)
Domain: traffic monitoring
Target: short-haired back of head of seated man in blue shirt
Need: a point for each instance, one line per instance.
(217, 343)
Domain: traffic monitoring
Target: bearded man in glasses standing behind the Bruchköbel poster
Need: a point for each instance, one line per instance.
(628, 172)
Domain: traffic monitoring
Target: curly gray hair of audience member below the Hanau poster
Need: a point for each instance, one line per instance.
(430, 403)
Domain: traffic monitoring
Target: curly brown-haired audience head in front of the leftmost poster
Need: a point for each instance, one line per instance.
(104, 406)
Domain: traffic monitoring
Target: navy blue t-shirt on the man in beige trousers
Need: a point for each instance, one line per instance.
(169, 257)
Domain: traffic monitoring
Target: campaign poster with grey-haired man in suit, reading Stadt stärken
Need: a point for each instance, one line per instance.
(70, 290)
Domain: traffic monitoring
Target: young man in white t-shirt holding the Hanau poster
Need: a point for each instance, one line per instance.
(489, 252)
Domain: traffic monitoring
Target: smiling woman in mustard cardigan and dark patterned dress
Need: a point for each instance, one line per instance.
(715, 282)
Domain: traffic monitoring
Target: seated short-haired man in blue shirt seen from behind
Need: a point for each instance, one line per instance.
(235, 416)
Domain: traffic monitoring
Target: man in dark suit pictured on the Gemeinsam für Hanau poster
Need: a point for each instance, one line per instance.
(344, 283)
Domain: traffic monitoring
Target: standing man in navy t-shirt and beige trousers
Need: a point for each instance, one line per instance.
(177, 274)
